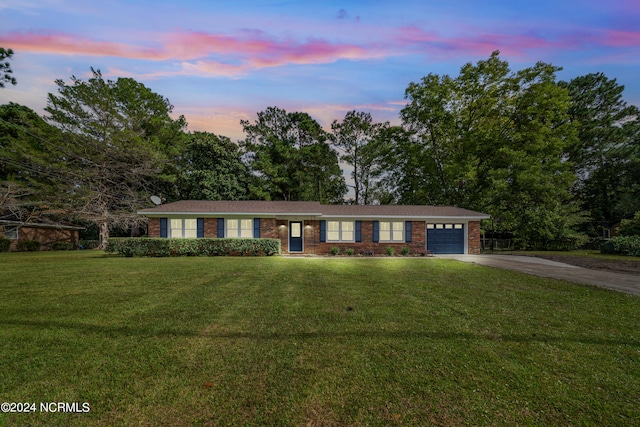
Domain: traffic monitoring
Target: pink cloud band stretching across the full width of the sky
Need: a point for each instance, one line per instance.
(201, 53)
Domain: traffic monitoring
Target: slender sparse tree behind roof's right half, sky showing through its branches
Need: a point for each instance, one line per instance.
(355, 136)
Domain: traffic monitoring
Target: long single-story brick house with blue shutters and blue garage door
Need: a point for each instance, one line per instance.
(314, 228)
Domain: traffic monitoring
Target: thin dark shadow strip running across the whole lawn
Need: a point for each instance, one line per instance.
(112, 331)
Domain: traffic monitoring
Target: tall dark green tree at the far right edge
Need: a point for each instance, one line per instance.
(605, 156)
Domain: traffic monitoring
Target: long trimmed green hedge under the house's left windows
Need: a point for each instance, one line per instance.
(161, 247)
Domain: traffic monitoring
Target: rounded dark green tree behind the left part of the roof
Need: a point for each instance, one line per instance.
(211, 168)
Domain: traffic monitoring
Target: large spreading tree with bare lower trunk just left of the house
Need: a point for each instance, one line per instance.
(118, 136)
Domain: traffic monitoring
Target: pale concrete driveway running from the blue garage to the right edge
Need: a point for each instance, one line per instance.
(541, 267)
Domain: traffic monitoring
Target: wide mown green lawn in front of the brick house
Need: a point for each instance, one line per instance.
(311, 342)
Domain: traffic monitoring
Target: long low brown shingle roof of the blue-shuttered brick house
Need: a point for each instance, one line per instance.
(315, 209)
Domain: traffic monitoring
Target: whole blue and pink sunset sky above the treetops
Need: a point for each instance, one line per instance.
(219, 62)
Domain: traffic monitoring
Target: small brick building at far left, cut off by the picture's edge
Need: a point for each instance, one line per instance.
(46, 233)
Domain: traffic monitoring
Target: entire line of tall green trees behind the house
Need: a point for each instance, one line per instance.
(552, 162)
